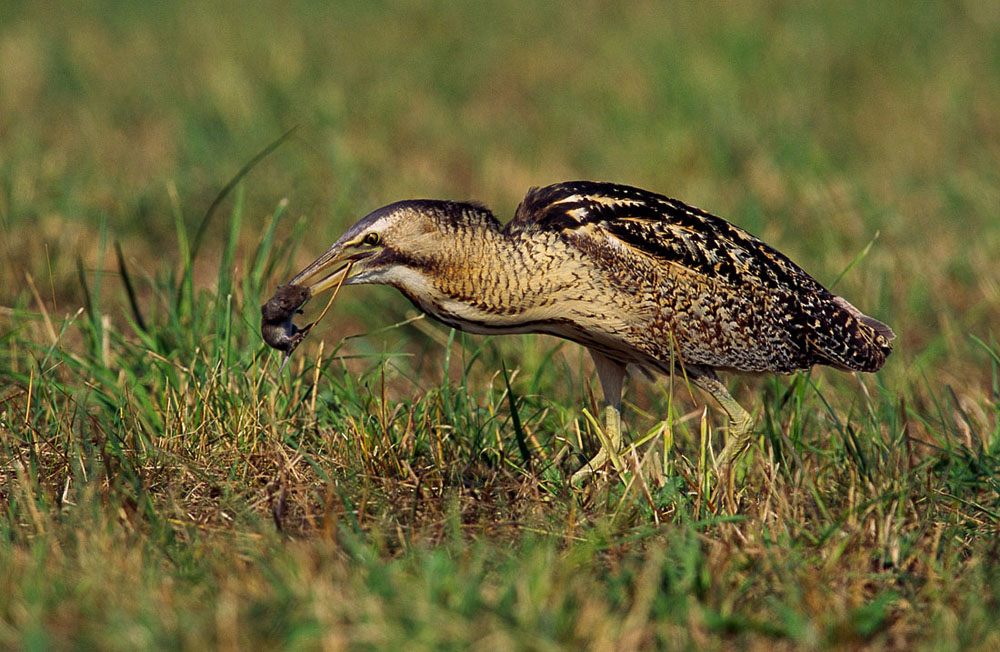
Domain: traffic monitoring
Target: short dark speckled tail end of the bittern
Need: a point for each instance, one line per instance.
(850, 340)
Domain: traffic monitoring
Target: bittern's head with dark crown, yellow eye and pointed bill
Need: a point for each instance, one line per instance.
(406, 236)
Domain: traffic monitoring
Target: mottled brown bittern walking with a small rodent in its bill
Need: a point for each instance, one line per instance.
(635, 277)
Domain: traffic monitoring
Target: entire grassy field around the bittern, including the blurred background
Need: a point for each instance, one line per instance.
(402, 486)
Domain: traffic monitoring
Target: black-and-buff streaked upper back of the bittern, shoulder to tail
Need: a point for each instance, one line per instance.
(830, 330)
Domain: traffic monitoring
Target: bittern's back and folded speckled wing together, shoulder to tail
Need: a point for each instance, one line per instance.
(696, 284)
